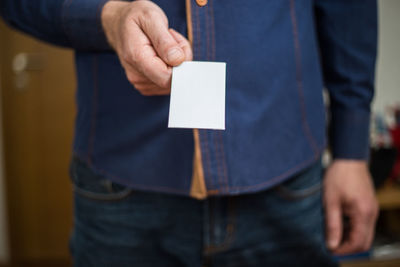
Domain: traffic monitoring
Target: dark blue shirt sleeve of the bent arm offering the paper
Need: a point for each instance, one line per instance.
(69, 23)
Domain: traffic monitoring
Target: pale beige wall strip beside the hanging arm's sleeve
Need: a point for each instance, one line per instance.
(388, 65)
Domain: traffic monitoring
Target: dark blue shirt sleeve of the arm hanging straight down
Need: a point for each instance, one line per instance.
(347, 34)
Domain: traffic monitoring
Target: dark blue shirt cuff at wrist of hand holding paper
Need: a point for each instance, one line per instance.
(81, 20)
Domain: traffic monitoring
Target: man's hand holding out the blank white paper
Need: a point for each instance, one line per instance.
(138, 31)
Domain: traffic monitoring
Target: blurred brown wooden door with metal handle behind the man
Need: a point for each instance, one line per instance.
(37, 87)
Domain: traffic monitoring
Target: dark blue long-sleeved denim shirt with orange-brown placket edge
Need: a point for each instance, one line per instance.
(280, 54)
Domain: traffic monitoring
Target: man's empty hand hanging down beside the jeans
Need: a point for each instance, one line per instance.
(348, 192)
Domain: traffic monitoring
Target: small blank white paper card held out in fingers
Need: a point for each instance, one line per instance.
(198, 95)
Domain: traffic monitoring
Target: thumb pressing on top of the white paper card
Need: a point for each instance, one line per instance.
(155, 27)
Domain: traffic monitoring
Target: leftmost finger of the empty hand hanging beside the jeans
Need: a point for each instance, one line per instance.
(334, 225)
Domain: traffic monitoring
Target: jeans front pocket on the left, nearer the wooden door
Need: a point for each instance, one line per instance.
(93, 186)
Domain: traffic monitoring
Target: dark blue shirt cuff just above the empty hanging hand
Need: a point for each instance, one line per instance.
(349, 134)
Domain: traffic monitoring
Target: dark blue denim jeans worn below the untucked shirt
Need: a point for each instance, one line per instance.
(117, 226)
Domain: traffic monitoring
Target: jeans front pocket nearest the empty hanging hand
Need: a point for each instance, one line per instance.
(303, 185)
